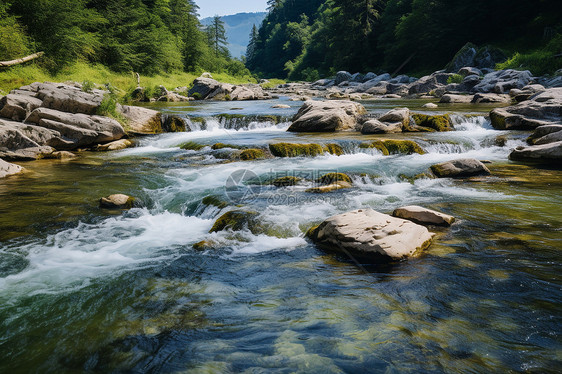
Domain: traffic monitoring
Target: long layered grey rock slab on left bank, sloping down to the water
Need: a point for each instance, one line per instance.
(77, 129)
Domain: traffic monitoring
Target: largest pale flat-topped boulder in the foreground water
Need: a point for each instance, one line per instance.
(367, 233)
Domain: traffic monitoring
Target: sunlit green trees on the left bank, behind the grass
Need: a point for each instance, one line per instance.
(145, 36)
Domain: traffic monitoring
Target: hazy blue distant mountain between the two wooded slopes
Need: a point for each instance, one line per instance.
(238, 28)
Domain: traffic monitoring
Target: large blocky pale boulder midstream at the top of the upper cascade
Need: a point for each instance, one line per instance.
(327, 116)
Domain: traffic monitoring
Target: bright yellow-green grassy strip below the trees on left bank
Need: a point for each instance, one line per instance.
(18, 76)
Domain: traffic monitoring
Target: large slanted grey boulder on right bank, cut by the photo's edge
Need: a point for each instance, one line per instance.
(543, 108)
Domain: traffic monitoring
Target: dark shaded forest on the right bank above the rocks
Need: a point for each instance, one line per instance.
(305, 39)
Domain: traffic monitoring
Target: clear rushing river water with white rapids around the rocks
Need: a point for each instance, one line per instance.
(83, 290)
